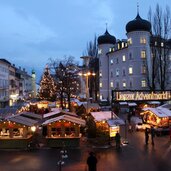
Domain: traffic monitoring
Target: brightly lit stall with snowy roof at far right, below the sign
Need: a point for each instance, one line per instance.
(158, 117)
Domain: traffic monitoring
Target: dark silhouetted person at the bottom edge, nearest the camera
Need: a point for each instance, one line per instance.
(92, 162)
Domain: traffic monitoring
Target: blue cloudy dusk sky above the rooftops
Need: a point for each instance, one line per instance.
(32, 31)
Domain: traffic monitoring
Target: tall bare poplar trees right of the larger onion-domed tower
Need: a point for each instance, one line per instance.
(160, 48)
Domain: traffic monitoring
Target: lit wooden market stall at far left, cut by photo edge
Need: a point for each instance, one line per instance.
(16, 131)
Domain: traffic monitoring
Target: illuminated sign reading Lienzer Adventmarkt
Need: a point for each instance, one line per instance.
(123, 96)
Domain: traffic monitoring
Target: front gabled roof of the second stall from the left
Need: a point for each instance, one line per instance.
(67, 118)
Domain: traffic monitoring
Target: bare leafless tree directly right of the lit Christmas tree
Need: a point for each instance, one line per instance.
(68, 82)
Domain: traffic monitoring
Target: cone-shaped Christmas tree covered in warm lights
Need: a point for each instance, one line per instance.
(47, 89)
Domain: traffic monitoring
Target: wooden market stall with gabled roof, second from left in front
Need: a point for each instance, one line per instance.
(62, 128)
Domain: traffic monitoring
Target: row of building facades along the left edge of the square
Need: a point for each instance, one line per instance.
(15, 84)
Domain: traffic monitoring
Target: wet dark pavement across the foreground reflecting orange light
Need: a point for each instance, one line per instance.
(133, 157)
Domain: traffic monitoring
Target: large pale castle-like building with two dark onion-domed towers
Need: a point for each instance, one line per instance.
(126, 64)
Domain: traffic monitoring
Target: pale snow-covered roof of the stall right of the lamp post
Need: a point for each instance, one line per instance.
(103, 115)
